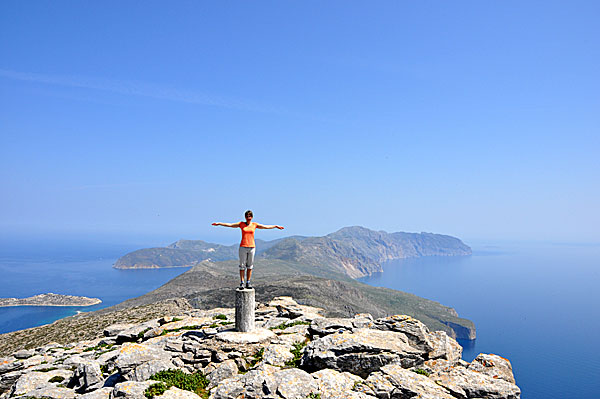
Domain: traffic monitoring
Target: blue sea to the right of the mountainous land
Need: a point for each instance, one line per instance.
(535, 304)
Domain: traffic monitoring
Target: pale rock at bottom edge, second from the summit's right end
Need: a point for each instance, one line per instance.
(393, 381)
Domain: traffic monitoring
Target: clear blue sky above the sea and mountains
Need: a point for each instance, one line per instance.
(478, 119)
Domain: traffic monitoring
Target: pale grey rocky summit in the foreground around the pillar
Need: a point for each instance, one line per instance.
(184, 356)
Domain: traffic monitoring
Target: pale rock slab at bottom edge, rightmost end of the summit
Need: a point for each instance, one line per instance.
(461, 382)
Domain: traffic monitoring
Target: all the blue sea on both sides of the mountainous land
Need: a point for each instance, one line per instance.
(537, 304)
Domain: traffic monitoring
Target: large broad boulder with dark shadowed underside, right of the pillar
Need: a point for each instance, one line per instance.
(361, 352)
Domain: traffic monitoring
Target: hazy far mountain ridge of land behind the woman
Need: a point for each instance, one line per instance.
(353, 251)
